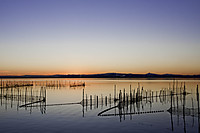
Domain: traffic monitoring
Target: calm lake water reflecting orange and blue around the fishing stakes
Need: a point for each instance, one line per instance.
(65, 110)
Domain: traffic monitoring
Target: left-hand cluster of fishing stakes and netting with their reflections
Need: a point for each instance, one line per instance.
(23, 97)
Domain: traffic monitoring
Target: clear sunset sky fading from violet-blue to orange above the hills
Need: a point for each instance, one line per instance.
(97, 36)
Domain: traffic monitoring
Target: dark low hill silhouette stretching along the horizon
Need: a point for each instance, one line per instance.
(106, 75)
